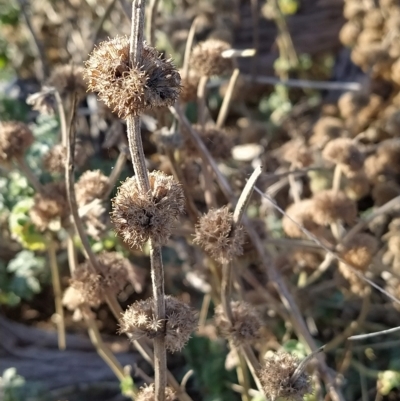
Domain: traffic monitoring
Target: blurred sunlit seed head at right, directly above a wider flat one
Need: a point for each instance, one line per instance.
(344, 151)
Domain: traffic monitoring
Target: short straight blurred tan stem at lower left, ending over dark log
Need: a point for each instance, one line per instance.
(55, 278)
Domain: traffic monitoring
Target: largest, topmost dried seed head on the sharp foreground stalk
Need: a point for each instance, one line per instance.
(131, 90)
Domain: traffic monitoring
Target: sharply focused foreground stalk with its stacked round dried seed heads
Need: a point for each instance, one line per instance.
(131, 78)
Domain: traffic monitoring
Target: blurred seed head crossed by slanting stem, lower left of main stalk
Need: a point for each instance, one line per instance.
(112, 277)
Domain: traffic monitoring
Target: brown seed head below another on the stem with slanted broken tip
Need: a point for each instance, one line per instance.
(245, 326)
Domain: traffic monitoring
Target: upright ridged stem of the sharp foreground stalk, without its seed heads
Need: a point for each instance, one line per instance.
(139, 165)
